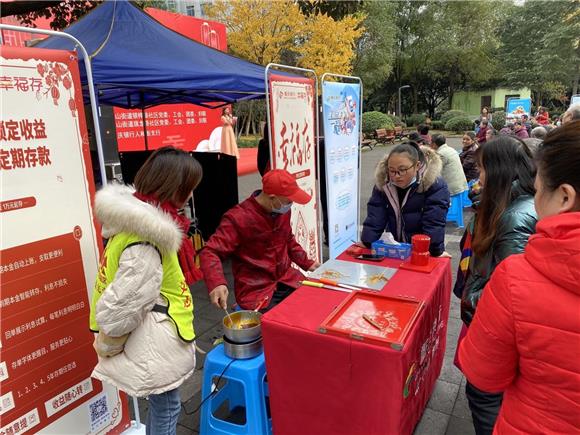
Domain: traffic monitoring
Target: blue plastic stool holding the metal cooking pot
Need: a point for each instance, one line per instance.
(243, 385)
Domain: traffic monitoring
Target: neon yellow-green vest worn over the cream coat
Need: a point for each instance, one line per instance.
(174, 289)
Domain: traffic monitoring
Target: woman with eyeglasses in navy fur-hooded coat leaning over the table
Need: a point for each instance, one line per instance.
(409, 197)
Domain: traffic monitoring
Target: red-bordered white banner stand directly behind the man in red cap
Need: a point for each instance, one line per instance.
(292, 108)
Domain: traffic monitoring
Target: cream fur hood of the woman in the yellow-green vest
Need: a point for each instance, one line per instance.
(119, 211)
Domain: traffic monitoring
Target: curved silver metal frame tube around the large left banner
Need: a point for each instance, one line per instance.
(92, 95)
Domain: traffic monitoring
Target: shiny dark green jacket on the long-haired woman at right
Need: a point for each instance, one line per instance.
(516, 225)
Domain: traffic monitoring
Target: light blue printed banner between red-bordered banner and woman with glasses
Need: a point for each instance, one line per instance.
(342, 114)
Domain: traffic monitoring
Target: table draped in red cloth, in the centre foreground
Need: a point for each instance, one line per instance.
(323, 384)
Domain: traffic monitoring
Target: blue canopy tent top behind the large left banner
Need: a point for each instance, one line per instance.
(138, 63)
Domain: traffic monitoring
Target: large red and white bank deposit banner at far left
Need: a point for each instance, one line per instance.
(49, 252)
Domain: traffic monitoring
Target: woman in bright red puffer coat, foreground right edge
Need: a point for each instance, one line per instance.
(525, 337)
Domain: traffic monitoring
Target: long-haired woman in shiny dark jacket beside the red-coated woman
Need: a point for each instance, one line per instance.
(504, 220)
